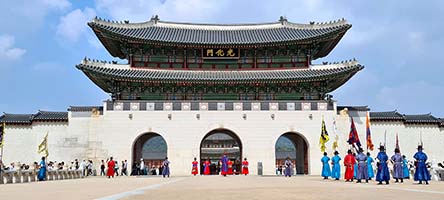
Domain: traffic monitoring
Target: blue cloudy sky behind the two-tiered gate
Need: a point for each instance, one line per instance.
(399, 42)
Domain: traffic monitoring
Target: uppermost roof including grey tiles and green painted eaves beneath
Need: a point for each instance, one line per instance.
(114, 34)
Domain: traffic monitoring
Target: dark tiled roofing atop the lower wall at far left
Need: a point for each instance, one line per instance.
(29, 118)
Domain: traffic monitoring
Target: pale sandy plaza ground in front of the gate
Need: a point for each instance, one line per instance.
(216, 187)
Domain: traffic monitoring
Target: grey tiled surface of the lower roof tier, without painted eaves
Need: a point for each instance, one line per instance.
(125, 72)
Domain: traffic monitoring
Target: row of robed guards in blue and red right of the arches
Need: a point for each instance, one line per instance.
(360, 166)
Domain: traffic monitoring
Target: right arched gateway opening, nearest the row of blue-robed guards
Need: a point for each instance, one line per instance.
(294, 146)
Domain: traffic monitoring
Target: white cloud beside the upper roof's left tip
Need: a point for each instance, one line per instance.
(74, 24)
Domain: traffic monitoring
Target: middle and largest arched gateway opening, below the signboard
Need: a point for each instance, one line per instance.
(215, 144)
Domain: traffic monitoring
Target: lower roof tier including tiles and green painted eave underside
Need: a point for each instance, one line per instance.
(104, 74)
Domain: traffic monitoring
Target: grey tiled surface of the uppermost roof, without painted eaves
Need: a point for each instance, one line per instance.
(225, 34)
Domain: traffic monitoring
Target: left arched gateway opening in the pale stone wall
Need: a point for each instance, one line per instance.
(152, 148)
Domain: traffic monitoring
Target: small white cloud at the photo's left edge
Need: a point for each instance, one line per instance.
(7, 49)
